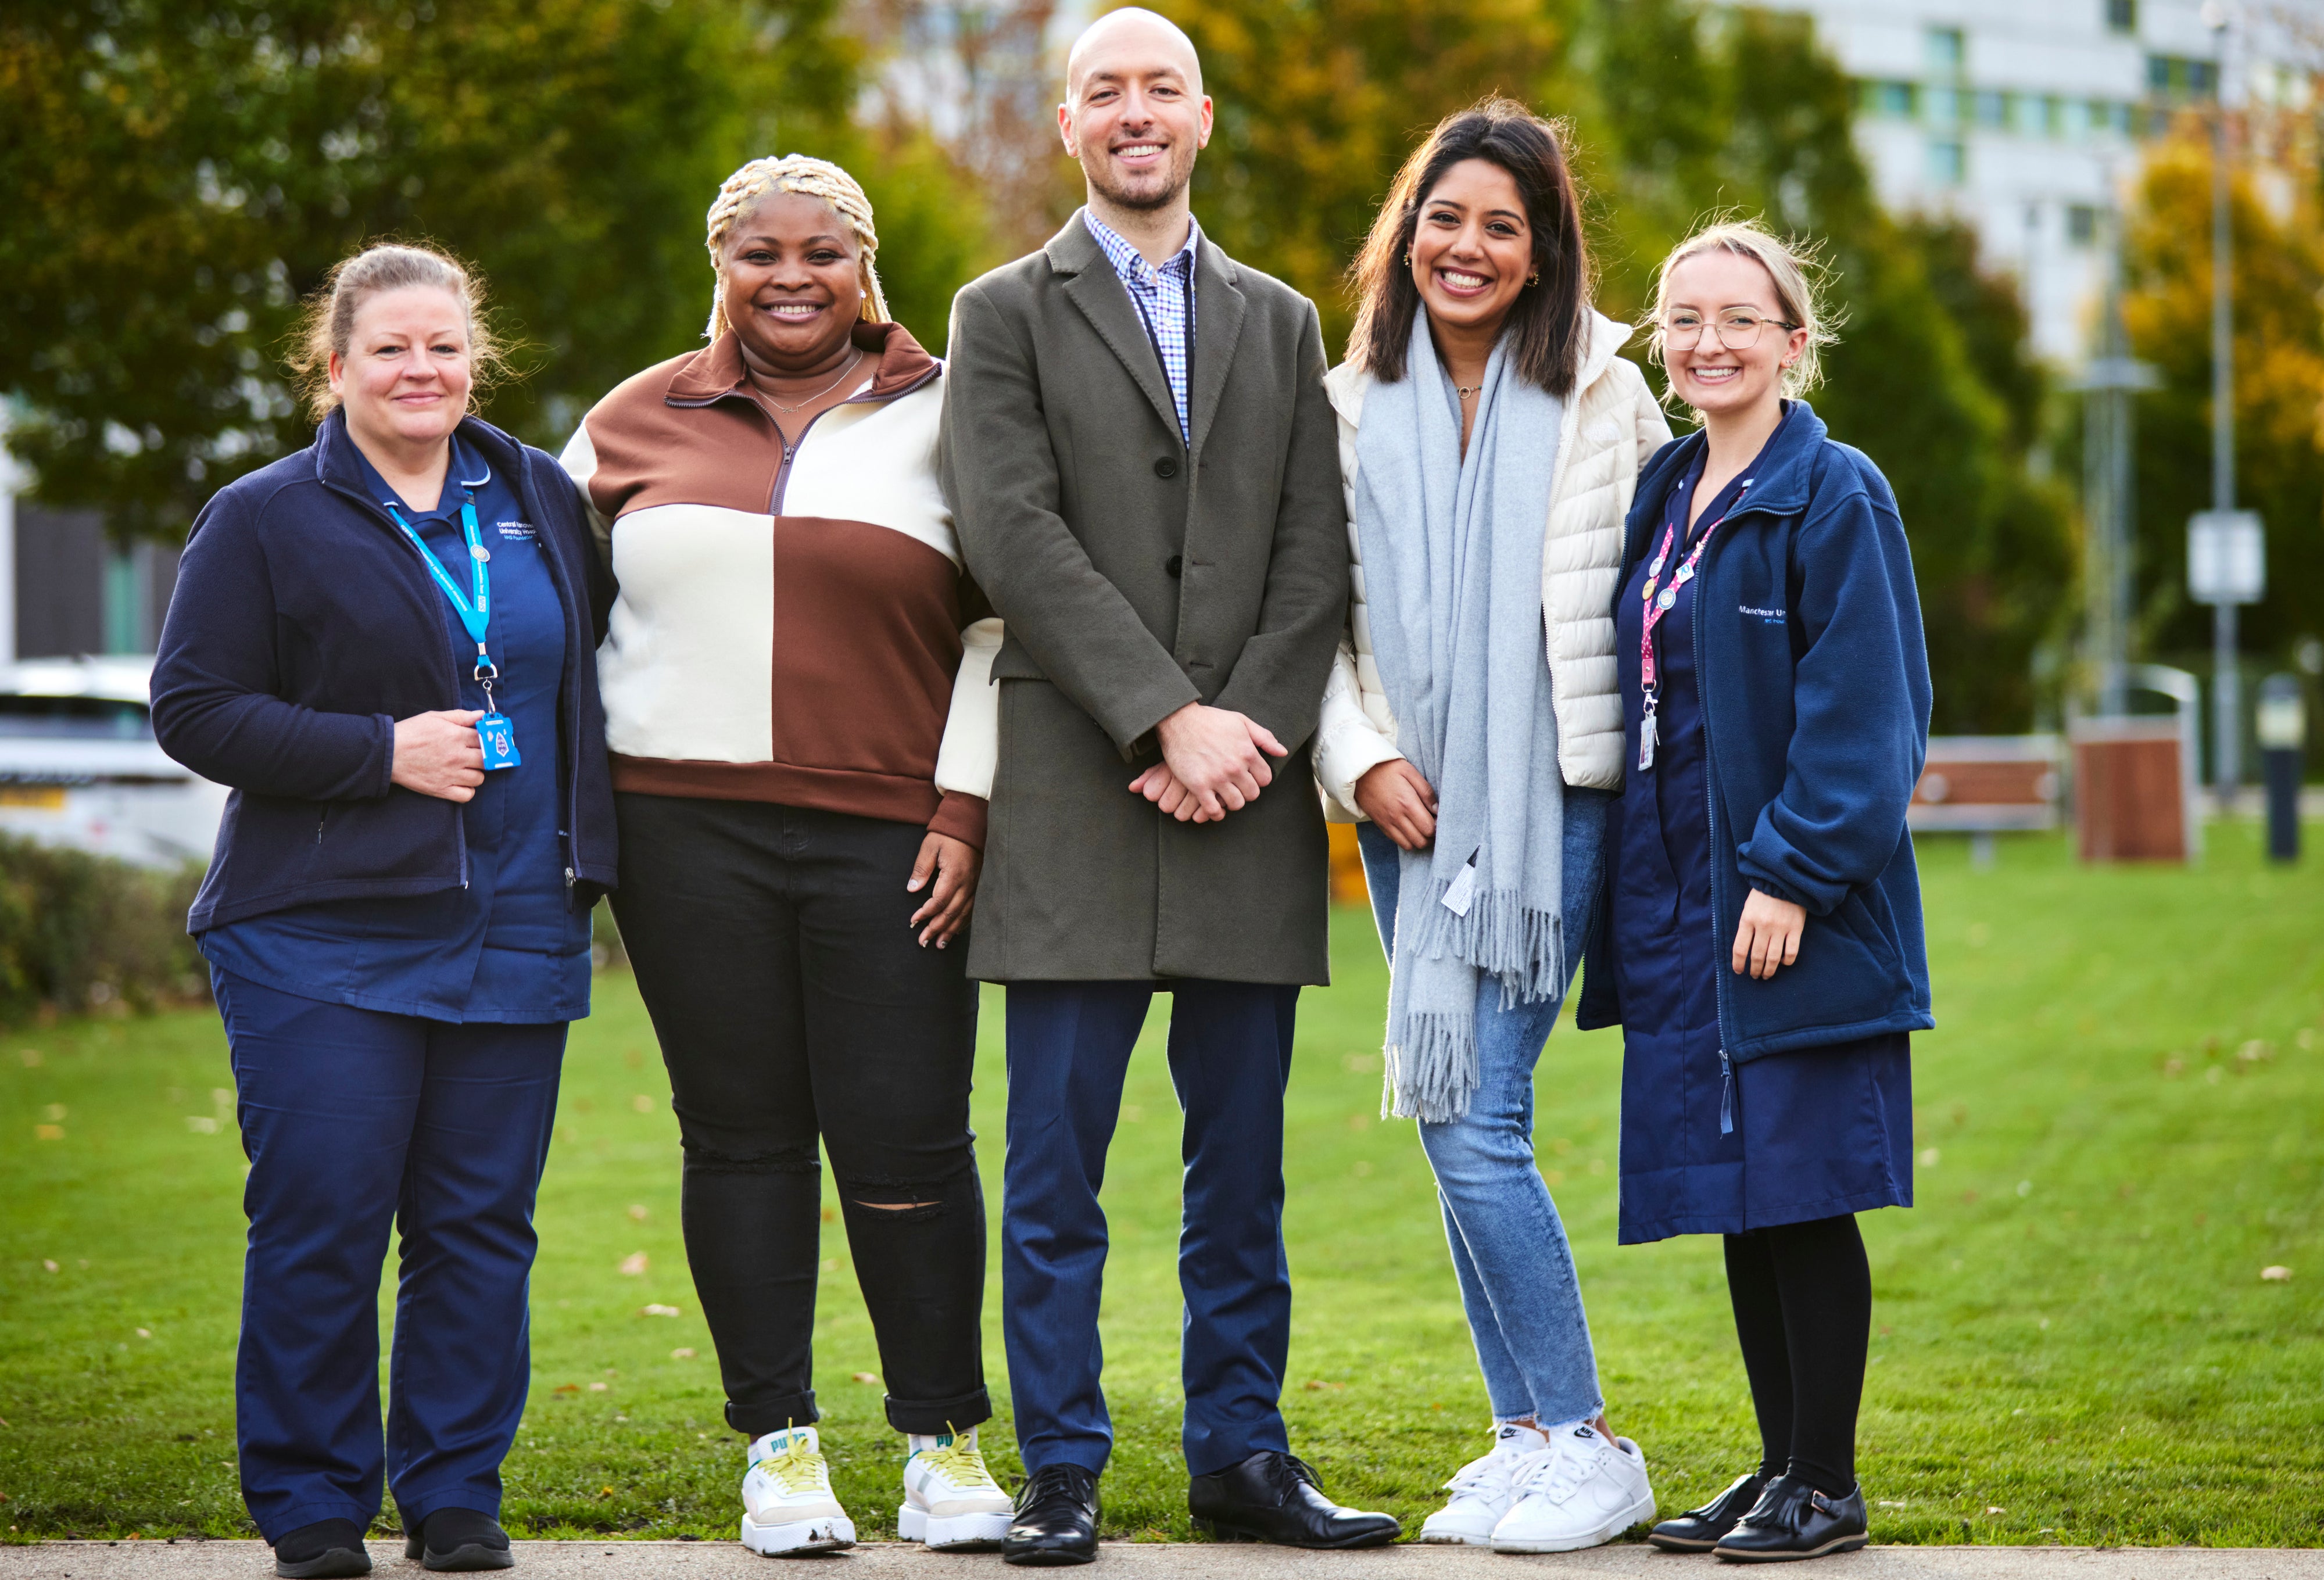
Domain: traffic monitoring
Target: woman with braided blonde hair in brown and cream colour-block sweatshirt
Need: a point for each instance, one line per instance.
(803, 733)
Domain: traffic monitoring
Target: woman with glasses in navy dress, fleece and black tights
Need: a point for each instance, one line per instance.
(1763, 947)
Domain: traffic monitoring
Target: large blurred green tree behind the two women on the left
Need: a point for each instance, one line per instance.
(180, 173)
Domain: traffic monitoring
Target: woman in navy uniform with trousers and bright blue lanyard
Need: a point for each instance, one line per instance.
(382, 645)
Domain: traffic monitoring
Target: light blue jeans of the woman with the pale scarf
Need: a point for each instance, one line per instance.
(1509, 1249)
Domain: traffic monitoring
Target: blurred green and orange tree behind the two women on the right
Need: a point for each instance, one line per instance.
(1679, 110)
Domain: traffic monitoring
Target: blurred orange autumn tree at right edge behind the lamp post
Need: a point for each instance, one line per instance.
(2279, 389)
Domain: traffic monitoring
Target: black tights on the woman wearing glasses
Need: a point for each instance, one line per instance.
(1805, 1312)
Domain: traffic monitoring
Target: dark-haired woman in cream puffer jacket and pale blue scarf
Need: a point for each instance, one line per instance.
(1491, 438)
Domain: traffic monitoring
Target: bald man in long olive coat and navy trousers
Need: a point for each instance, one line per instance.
(1145, 477)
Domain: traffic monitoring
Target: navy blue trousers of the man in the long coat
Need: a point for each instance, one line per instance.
(1231, 1054)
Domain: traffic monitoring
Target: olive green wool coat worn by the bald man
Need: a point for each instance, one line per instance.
(1138, 573)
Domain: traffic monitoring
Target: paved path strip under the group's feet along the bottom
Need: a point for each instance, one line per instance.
(622, 1560)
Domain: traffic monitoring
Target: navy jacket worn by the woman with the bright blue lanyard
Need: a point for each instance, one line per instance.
(303, 626)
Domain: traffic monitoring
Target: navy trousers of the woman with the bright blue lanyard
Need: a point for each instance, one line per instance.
(352, 1121)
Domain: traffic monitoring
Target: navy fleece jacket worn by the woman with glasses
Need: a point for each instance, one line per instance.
(1816, 724)
